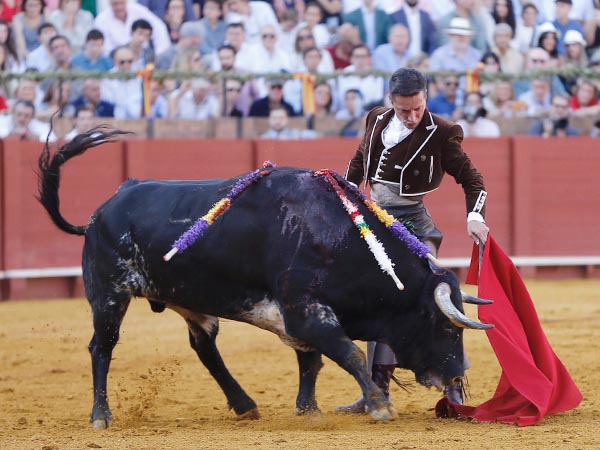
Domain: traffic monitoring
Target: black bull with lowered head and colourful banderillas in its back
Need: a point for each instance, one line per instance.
(285, 257)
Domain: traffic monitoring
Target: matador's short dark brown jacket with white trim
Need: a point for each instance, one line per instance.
(417, 164)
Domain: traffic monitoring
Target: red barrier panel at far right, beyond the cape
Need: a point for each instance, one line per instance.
(557, 195)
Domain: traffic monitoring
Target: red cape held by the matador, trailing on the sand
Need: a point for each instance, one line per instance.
(534, 382)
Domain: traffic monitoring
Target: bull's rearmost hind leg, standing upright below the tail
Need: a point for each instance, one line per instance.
(108, 315)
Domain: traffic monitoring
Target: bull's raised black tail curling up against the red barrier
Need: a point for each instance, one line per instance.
(49, 172)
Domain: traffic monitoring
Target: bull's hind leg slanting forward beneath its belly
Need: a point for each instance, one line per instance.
(203, 332)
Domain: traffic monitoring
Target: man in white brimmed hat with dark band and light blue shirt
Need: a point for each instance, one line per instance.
(458, 55)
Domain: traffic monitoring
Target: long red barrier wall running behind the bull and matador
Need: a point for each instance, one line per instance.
(542, 194)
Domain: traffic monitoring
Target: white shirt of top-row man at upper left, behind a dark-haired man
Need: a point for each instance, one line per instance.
(117, 33)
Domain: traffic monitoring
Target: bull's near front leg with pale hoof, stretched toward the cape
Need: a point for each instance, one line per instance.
(317, 326)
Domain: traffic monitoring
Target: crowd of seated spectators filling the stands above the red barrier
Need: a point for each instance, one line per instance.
(337, 39)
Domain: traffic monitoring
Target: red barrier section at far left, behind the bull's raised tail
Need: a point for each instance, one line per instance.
(30, 240)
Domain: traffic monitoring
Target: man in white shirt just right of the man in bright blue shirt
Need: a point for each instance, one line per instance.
(125, 94)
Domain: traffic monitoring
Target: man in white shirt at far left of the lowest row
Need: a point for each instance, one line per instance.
(21, 124)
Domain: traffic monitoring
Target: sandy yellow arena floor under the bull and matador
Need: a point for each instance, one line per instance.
(163, 398)
